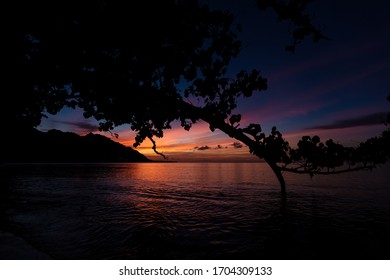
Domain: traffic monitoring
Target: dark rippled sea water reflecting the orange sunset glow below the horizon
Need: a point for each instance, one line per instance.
(196, 211)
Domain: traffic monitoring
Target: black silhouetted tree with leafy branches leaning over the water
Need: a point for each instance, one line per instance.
(144, 63)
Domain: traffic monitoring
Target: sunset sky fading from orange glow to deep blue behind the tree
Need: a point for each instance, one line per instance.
(335, 89)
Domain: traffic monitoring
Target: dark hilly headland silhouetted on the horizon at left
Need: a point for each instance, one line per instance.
(61, 147)
